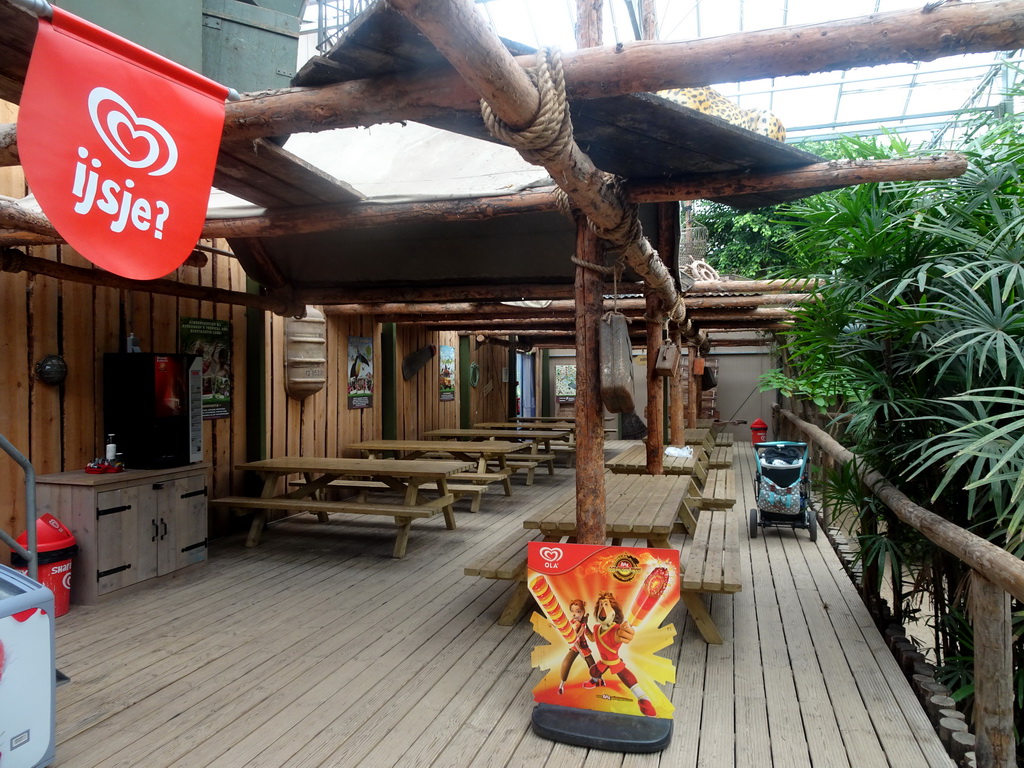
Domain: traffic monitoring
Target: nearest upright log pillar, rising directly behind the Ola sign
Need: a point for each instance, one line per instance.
(590, 430)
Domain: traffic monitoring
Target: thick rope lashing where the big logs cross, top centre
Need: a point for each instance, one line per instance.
(551, 134)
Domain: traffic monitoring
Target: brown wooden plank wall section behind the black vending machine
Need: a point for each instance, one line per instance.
(61, 429)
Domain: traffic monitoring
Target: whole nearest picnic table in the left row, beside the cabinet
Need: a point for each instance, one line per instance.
(404, 477)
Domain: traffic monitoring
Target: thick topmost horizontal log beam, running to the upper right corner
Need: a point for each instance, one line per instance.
(649, 66)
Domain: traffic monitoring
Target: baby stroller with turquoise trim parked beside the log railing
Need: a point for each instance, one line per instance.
(783, 488)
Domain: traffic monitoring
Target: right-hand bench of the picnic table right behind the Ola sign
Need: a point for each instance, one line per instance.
(711, 566)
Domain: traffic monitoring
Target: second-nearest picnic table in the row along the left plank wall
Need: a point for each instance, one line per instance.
(490, 457)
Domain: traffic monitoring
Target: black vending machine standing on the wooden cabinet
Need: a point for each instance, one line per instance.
(153, 406)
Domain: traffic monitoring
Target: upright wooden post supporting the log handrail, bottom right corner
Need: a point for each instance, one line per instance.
(994, 689)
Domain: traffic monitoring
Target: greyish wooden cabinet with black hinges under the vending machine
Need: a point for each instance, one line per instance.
(131, 527)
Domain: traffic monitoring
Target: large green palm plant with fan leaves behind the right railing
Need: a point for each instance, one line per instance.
(918, 336)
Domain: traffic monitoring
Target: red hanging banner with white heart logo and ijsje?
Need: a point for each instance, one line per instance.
(119, 147)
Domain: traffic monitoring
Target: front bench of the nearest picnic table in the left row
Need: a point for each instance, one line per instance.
(404, 515)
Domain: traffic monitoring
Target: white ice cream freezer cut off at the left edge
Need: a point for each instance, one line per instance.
(28, 672)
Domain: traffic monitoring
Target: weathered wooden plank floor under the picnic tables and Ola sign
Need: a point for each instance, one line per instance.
(318, 649)
